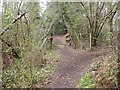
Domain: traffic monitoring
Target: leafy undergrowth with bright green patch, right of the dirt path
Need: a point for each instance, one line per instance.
(101, 74)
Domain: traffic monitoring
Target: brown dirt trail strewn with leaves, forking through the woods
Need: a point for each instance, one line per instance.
(72, 64)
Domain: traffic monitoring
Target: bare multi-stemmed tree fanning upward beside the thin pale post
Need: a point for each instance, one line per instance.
(95, 13)
